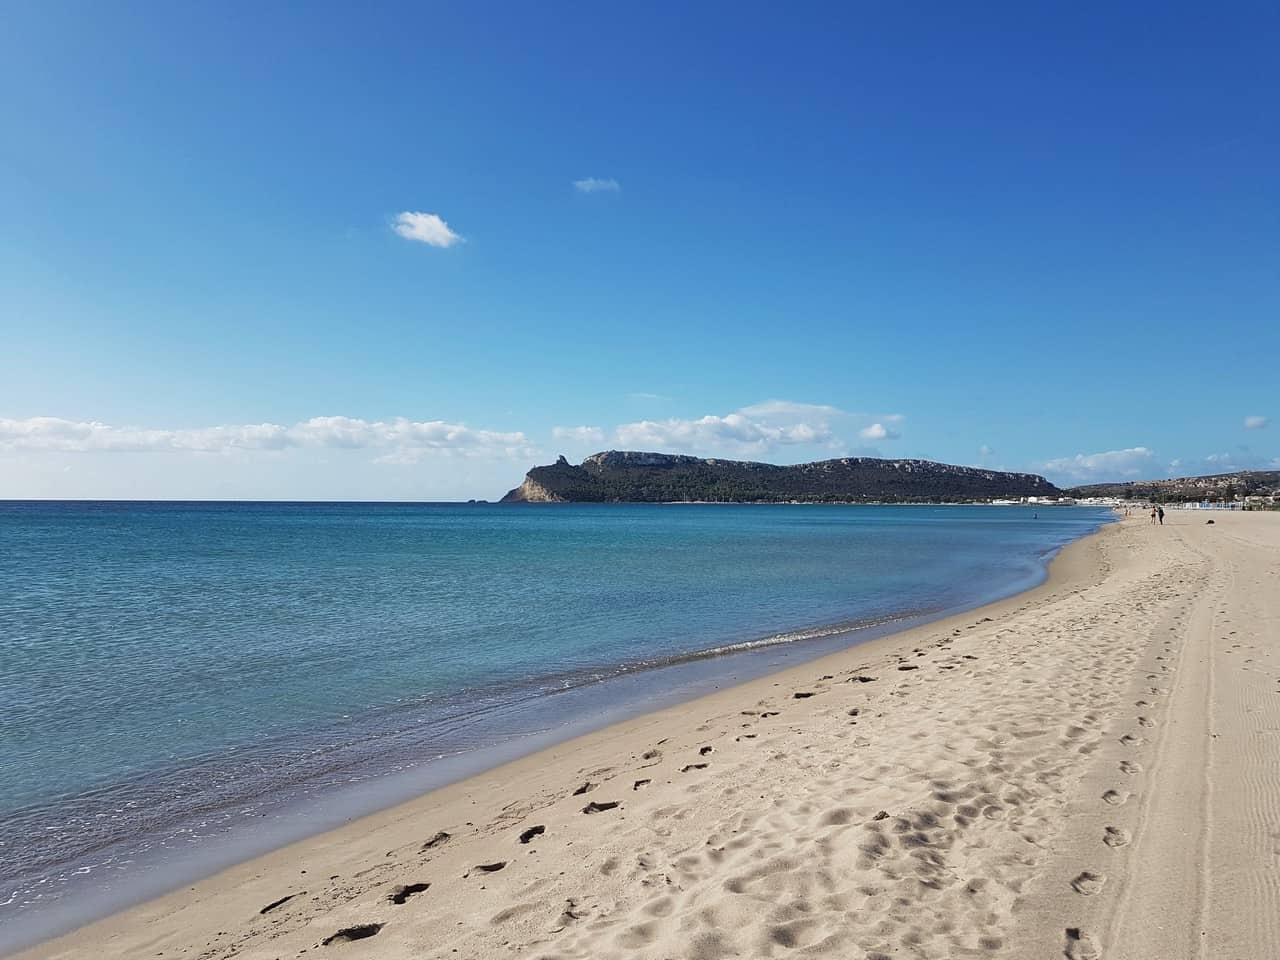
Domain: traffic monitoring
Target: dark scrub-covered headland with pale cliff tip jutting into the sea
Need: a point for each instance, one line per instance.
(624, 477)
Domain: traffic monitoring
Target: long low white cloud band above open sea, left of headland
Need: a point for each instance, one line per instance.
(404, 440)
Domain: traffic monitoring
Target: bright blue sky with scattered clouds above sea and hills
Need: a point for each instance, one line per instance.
(385, 252)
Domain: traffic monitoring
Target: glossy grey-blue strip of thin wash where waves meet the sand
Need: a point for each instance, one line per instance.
(632, 693)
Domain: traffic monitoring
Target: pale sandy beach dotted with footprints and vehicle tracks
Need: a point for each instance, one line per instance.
(1089, 770)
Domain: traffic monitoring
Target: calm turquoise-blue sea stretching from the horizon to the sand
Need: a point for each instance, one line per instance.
(171, 673)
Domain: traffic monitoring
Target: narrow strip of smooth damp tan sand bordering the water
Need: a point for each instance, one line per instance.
(1064, 568)
